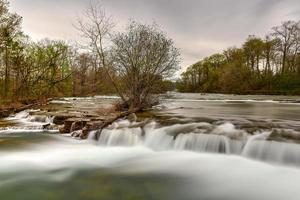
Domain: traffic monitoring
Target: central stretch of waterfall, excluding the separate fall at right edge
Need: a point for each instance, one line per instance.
(176, 137)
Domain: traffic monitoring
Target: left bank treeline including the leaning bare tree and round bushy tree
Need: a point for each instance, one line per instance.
(32, 70)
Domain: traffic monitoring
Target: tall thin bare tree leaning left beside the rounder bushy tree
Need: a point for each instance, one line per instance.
(96, 27)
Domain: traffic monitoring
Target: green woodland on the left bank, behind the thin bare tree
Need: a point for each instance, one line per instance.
(47, 68)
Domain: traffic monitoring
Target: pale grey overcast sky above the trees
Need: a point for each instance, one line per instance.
(199, 28)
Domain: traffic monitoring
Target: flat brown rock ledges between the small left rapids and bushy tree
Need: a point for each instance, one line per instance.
(78, 116)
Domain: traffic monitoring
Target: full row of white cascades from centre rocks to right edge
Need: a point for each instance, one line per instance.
(202, 137)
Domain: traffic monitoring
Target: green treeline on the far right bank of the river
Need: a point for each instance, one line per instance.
(269, 65)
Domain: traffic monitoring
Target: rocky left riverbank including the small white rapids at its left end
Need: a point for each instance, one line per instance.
(76, 116)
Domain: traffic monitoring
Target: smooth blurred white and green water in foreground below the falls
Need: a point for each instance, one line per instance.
(63, 168)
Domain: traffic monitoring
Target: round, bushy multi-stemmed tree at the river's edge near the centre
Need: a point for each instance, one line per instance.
(143, 56)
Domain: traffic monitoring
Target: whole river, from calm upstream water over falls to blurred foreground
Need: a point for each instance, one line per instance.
(192, 147)
